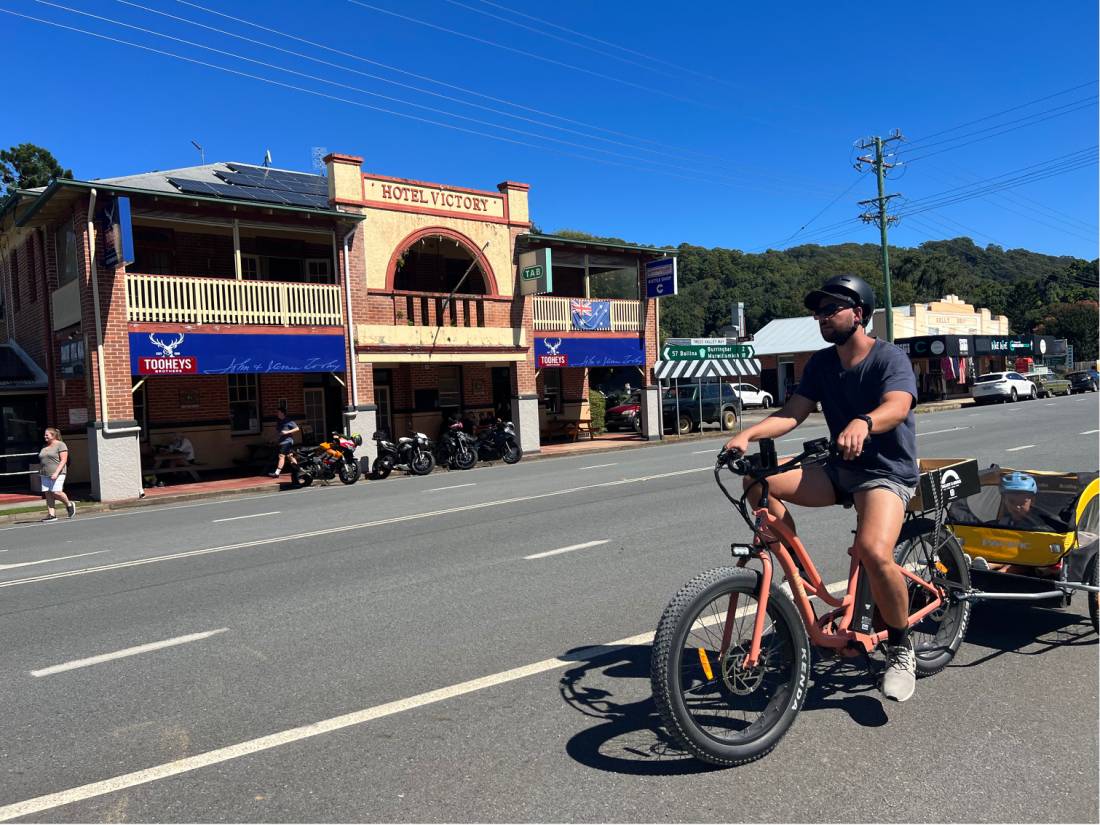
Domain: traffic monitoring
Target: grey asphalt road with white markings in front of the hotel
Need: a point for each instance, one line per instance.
(448, 678)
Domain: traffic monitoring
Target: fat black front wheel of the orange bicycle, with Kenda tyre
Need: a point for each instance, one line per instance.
(686, 697)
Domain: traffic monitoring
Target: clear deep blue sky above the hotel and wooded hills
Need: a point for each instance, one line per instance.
(711, 124)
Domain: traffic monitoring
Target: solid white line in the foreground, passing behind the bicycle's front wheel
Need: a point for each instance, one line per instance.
(92, 790)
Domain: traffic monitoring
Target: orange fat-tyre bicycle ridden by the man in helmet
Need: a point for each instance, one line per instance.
(732, 655)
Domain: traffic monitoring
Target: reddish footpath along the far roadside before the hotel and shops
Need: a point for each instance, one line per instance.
(29, 508)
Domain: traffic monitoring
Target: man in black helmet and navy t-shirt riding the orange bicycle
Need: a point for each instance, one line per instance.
(867, 391)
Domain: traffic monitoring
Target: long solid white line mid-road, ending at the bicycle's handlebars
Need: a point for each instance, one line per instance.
(347, 529)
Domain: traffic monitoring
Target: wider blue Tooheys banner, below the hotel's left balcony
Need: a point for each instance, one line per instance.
(196, 354)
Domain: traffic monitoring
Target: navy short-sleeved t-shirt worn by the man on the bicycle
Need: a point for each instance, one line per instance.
(845, 394)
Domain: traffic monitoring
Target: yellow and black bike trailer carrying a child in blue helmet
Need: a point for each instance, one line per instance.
(1046, 552)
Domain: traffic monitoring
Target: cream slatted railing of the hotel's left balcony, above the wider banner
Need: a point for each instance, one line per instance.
(178, 300)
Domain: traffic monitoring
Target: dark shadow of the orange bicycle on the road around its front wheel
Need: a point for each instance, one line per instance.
(628, 735)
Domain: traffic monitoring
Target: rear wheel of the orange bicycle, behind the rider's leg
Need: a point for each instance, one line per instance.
(938, 637)
